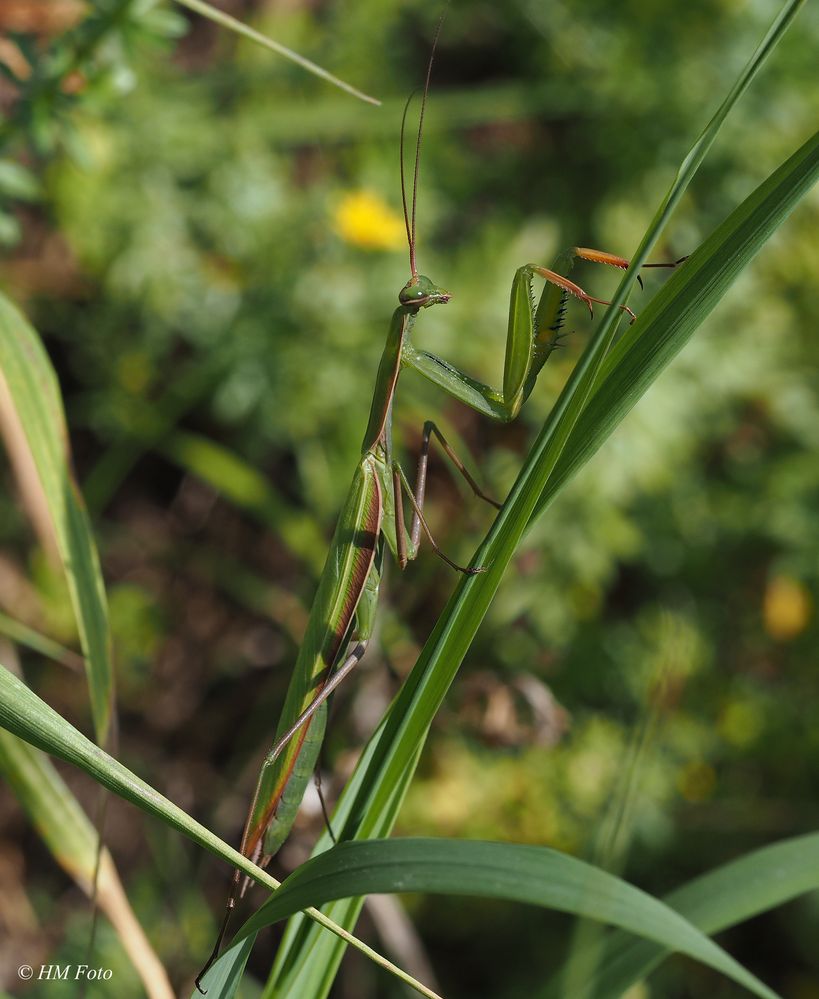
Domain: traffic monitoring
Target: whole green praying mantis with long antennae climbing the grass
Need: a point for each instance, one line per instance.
(372, 518)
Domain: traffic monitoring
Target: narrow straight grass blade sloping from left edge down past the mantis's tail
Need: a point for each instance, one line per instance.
(27, 716)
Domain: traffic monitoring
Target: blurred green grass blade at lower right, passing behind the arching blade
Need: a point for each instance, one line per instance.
(737, 891)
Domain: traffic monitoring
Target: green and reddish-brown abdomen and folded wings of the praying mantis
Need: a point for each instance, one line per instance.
(349, 563)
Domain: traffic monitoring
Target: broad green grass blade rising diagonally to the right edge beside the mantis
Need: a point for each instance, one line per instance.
(635, 361)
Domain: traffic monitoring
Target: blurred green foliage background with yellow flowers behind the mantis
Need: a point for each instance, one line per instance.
(190, 269)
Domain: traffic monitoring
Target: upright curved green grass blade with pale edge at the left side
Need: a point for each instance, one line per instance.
(35, 396)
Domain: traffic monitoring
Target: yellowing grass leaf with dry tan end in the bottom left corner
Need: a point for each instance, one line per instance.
(70, 836)
